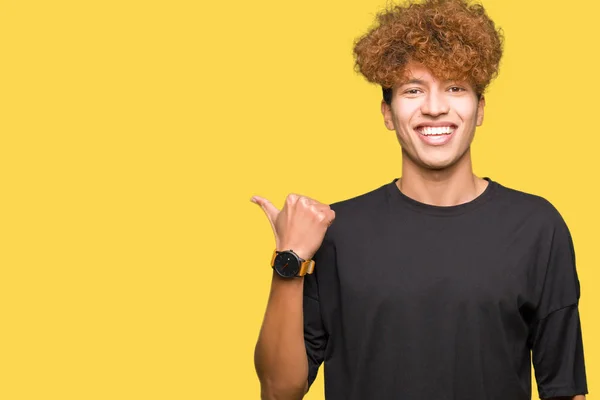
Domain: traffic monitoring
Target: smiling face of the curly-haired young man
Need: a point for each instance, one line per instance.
(434, 120)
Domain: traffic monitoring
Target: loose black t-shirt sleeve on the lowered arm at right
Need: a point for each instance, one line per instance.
(555, 334)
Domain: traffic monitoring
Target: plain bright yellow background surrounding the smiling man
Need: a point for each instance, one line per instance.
(133, 133)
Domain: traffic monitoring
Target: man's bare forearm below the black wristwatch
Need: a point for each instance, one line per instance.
(280, 355)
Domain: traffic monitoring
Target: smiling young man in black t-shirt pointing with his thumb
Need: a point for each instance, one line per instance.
(438, 285)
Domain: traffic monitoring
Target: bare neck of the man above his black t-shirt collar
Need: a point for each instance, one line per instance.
(446, 187)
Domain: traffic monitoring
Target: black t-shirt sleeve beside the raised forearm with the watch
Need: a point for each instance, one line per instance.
(315, 336)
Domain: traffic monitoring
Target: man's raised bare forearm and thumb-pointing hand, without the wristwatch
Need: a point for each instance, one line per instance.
(280, 357)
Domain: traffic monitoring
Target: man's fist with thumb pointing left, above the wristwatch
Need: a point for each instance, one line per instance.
(301, 224)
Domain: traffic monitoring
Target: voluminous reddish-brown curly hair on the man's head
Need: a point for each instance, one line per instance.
(452, 38)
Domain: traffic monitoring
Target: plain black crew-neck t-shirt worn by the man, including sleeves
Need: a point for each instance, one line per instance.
(411, 301)
